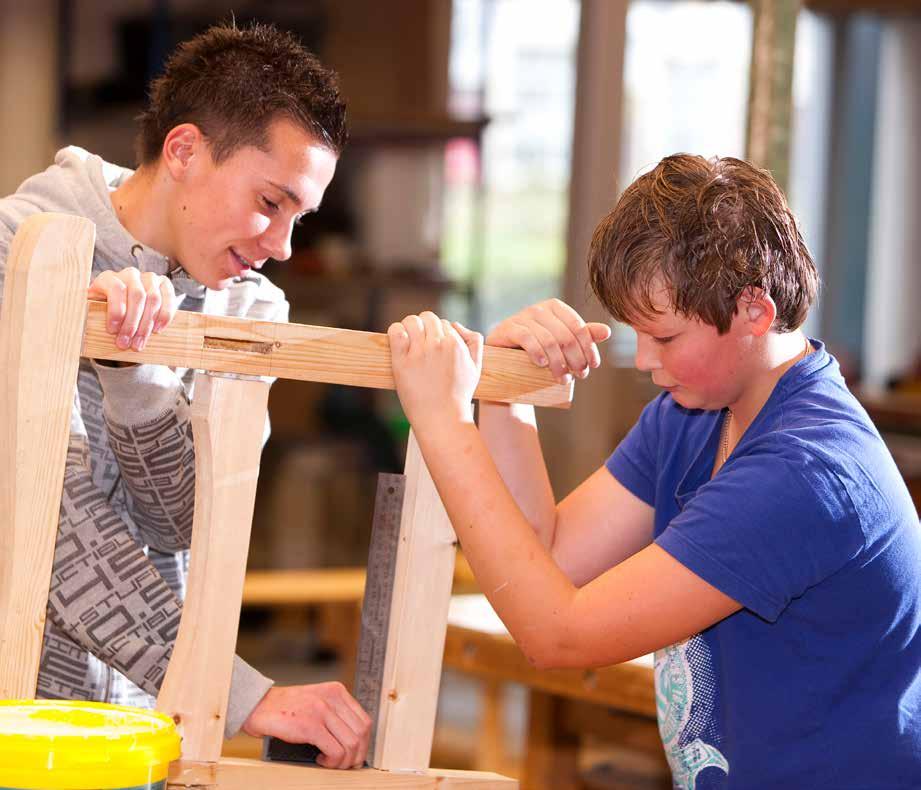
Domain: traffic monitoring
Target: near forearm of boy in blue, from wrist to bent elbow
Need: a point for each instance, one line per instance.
(519, 577)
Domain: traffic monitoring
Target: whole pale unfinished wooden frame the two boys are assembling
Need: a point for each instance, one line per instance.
(43, 310)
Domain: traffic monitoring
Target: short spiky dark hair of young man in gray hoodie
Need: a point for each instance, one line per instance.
(233, 83)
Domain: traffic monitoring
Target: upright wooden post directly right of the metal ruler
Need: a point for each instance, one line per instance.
(418, 622)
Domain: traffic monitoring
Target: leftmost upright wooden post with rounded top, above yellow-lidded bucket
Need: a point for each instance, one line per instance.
(47, 272)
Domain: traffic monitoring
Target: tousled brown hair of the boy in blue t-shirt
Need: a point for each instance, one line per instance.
(707, 230)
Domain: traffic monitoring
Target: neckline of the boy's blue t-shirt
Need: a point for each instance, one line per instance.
(700, 471)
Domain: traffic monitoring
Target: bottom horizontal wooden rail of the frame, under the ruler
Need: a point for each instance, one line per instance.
(238, 774)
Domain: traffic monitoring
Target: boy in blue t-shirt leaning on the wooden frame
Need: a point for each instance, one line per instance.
(752, 528)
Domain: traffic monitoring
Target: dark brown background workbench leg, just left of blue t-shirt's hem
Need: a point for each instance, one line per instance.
(551, 751)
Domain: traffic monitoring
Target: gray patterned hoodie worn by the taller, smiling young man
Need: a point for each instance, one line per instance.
(121, 556)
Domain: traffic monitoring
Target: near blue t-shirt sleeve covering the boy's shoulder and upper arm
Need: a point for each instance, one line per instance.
(766, 528)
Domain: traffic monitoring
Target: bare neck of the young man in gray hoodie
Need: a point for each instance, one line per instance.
(141, 205)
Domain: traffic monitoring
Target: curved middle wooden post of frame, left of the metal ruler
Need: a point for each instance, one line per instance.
(228, 417)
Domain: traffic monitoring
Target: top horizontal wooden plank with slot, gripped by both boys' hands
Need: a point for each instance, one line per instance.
(309, 353)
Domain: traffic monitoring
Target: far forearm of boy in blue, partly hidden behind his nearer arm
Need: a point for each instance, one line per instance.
(510, 433)
